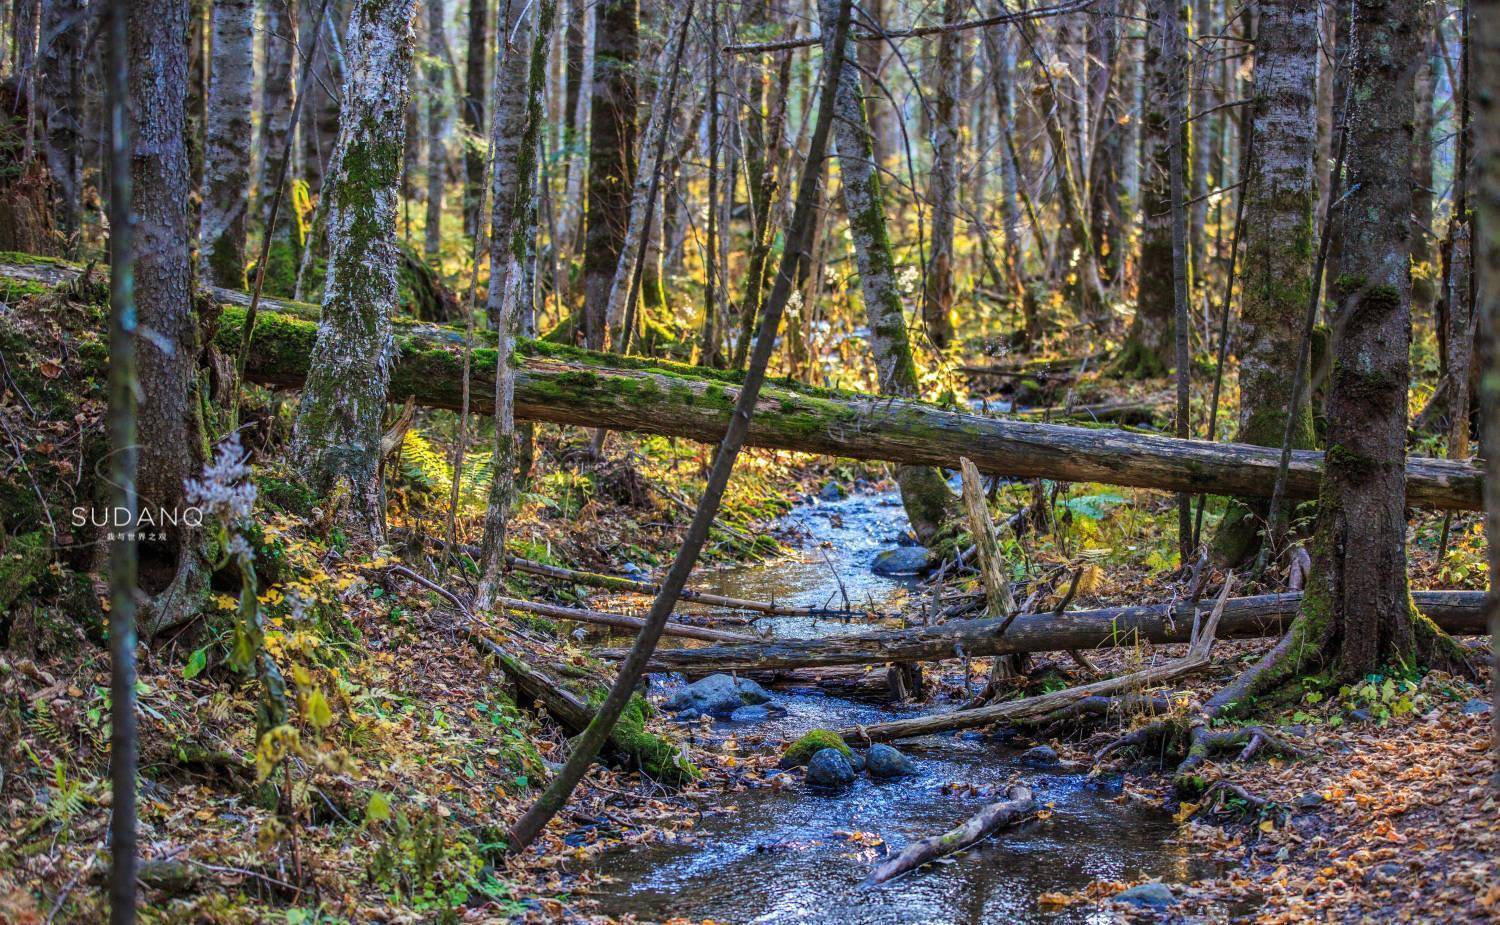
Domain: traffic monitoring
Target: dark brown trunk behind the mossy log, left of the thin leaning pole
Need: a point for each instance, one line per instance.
(611, 155)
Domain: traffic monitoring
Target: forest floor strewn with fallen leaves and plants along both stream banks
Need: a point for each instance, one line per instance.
(412, 758)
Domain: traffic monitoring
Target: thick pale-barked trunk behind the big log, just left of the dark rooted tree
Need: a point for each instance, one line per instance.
(1279, 245)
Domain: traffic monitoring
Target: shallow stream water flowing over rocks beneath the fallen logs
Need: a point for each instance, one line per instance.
(787, 855)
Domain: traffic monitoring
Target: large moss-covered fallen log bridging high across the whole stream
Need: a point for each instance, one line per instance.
(568, 386)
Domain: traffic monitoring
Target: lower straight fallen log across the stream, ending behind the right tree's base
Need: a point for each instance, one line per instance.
(1457, 612)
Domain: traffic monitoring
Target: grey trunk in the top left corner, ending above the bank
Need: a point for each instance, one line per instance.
(61, 104)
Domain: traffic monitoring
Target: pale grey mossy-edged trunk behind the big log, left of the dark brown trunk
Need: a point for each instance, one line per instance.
(508, 130)
